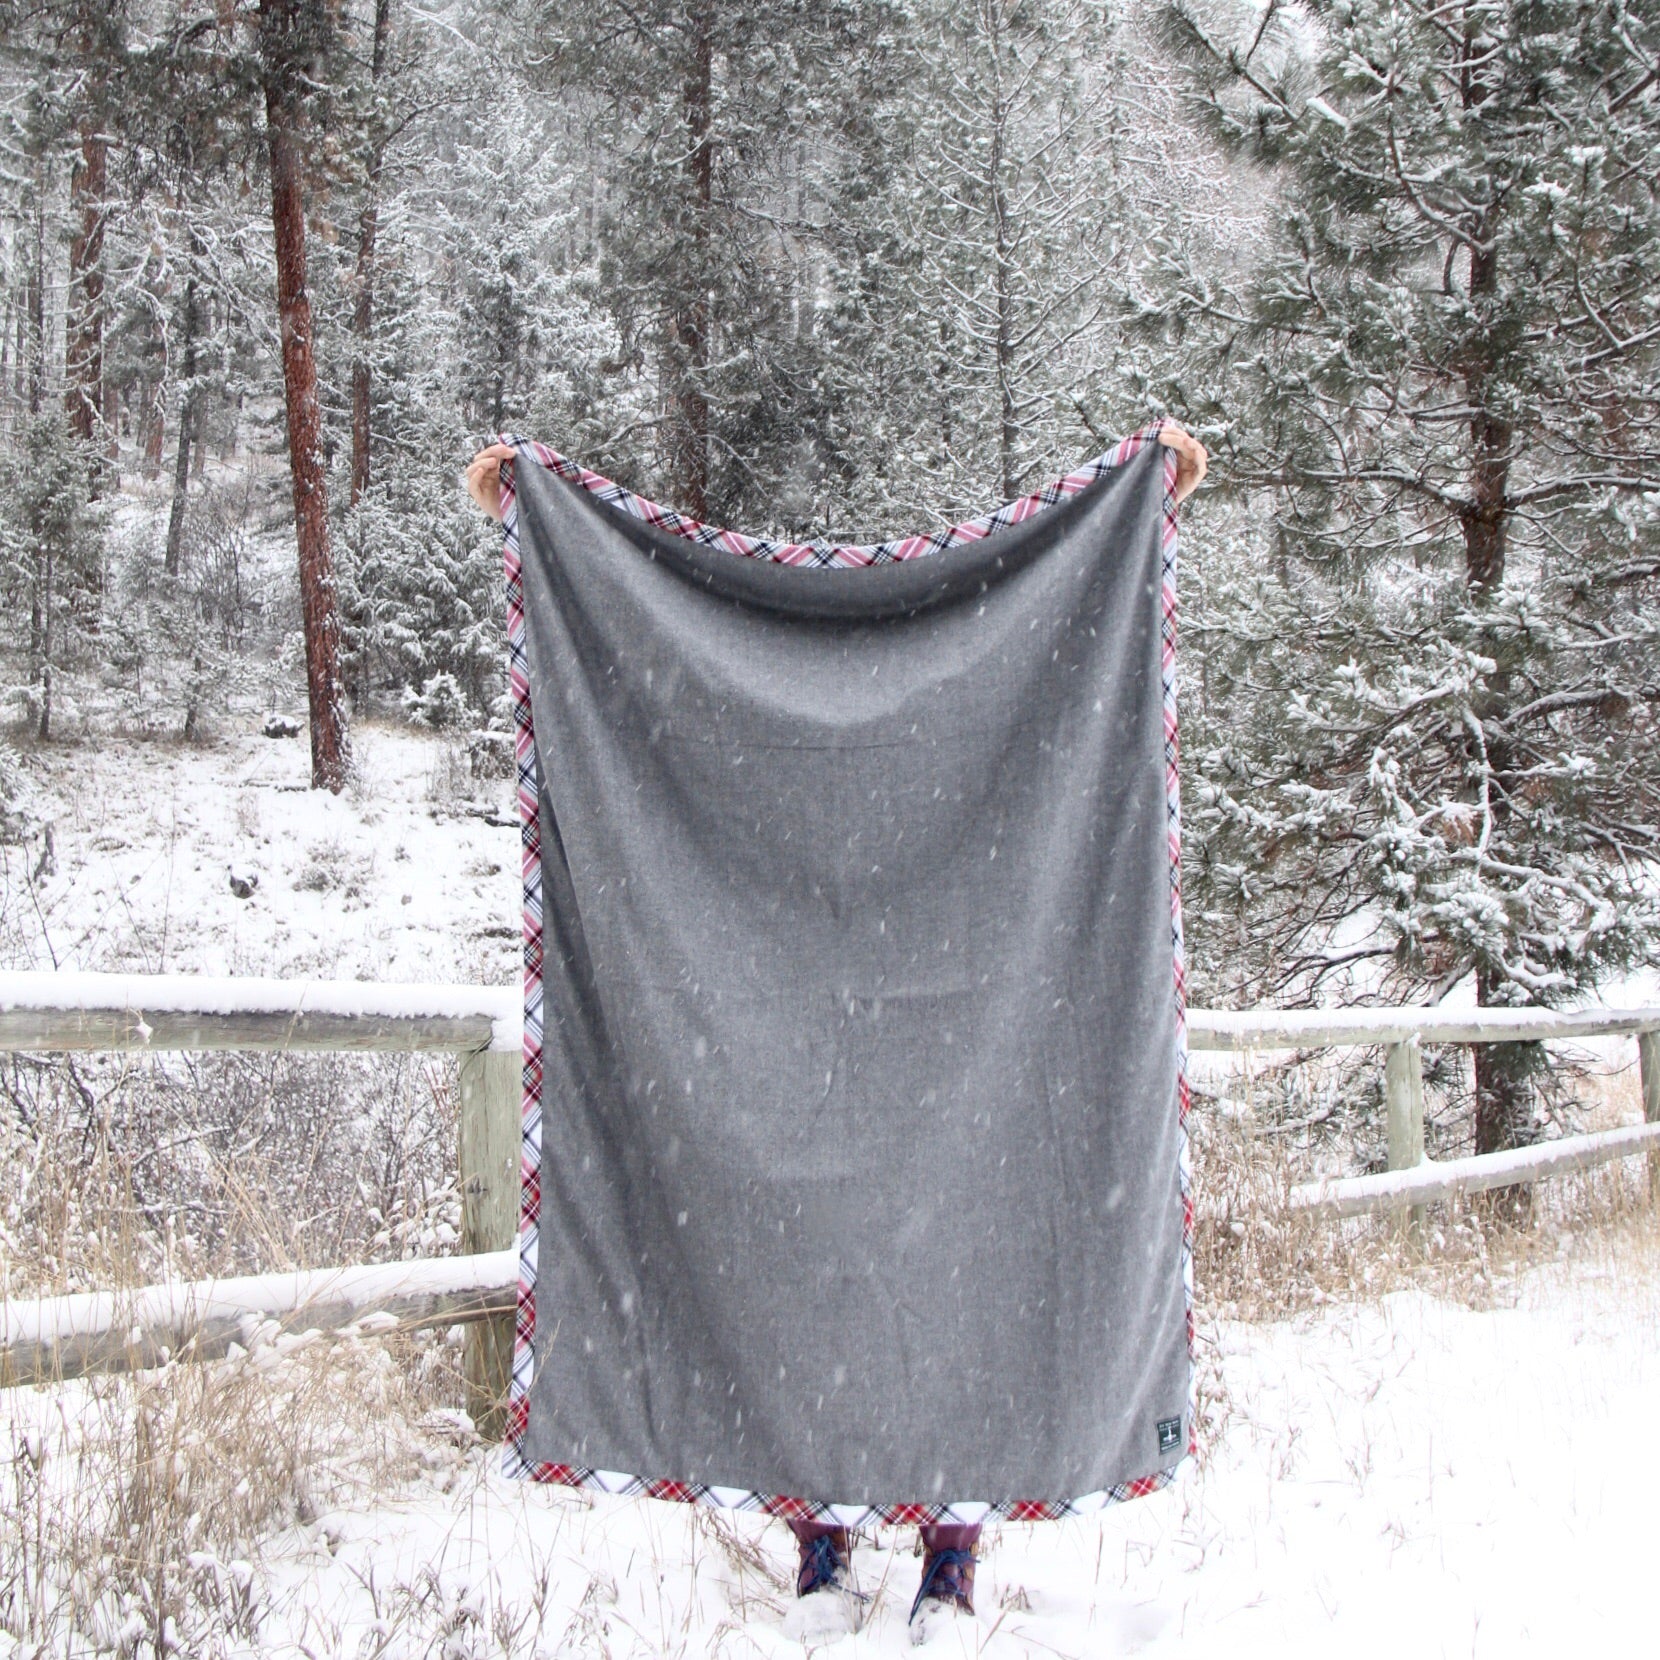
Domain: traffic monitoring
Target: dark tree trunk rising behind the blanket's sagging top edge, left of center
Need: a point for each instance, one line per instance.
(690, 325)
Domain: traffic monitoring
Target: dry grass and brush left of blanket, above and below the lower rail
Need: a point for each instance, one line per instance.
(134, 1508)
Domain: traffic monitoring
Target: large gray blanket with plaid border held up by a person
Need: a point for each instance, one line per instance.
(854, 1088)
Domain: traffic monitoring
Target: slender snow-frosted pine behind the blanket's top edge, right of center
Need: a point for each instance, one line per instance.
(1010, 220)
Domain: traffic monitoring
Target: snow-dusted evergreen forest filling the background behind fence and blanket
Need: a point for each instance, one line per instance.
(271, 273)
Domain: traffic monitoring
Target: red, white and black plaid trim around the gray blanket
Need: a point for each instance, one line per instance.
(821, 555)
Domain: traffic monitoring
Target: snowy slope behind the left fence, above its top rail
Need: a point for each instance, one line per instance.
(411, 874)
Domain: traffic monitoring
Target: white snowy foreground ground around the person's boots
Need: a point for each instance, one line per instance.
(1410, 1477)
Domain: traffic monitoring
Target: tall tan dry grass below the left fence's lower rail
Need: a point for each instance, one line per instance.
(135, 1506)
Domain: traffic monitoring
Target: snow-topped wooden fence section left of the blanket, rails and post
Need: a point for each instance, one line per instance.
(482, 1025)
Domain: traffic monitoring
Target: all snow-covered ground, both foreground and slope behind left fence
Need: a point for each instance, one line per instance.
(1397, 1477)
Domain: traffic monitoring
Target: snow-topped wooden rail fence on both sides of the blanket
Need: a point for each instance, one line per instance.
(66, 1337)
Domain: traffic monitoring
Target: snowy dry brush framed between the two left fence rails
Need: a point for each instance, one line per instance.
(130, 1169)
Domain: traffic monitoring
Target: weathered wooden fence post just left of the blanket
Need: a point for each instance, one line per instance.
(489, 1143)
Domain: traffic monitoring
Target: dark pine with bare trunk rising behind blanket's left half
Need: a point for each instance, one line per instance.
(708, 122)
